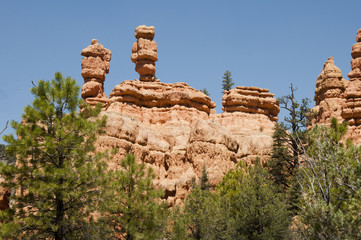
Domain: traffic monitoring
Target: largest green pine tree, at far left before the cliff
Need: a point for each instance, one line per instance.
(57, 178)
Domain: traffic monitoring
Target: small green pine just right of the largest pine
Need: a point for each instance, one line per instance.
(133, 207)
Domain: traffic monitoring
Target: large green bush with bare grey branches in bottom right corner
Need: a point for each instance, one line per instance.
(330, 186)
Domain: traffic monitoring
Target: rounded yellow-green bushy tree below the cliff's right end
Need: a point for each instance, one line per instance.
(259, 210)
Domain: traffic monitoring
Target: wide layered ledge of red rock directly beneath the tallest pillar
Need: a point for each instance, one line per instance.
(158, 97)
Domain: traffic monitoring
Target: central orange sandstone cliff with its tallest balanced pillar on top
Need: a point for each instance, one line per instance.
(175, 129)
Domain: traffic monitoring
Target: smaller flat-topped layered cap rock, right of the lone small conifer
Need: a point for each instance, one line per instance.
(251, 100)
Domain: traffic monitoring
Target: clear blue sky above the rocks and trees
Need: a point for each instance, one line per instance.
(268, 44)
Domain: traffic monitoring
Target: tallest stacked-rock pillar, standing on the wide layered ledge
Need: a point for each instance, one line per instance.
(144, 53)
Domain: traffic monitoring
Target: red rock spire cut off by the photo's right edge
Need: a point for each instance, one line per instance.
(351, 110)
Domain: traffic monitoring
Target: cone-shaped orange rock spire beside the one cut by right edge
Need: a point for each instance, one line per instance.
(329, 94)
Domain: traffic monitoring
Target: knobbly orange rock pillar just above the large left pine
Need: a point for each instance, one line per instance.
(95, 65)
